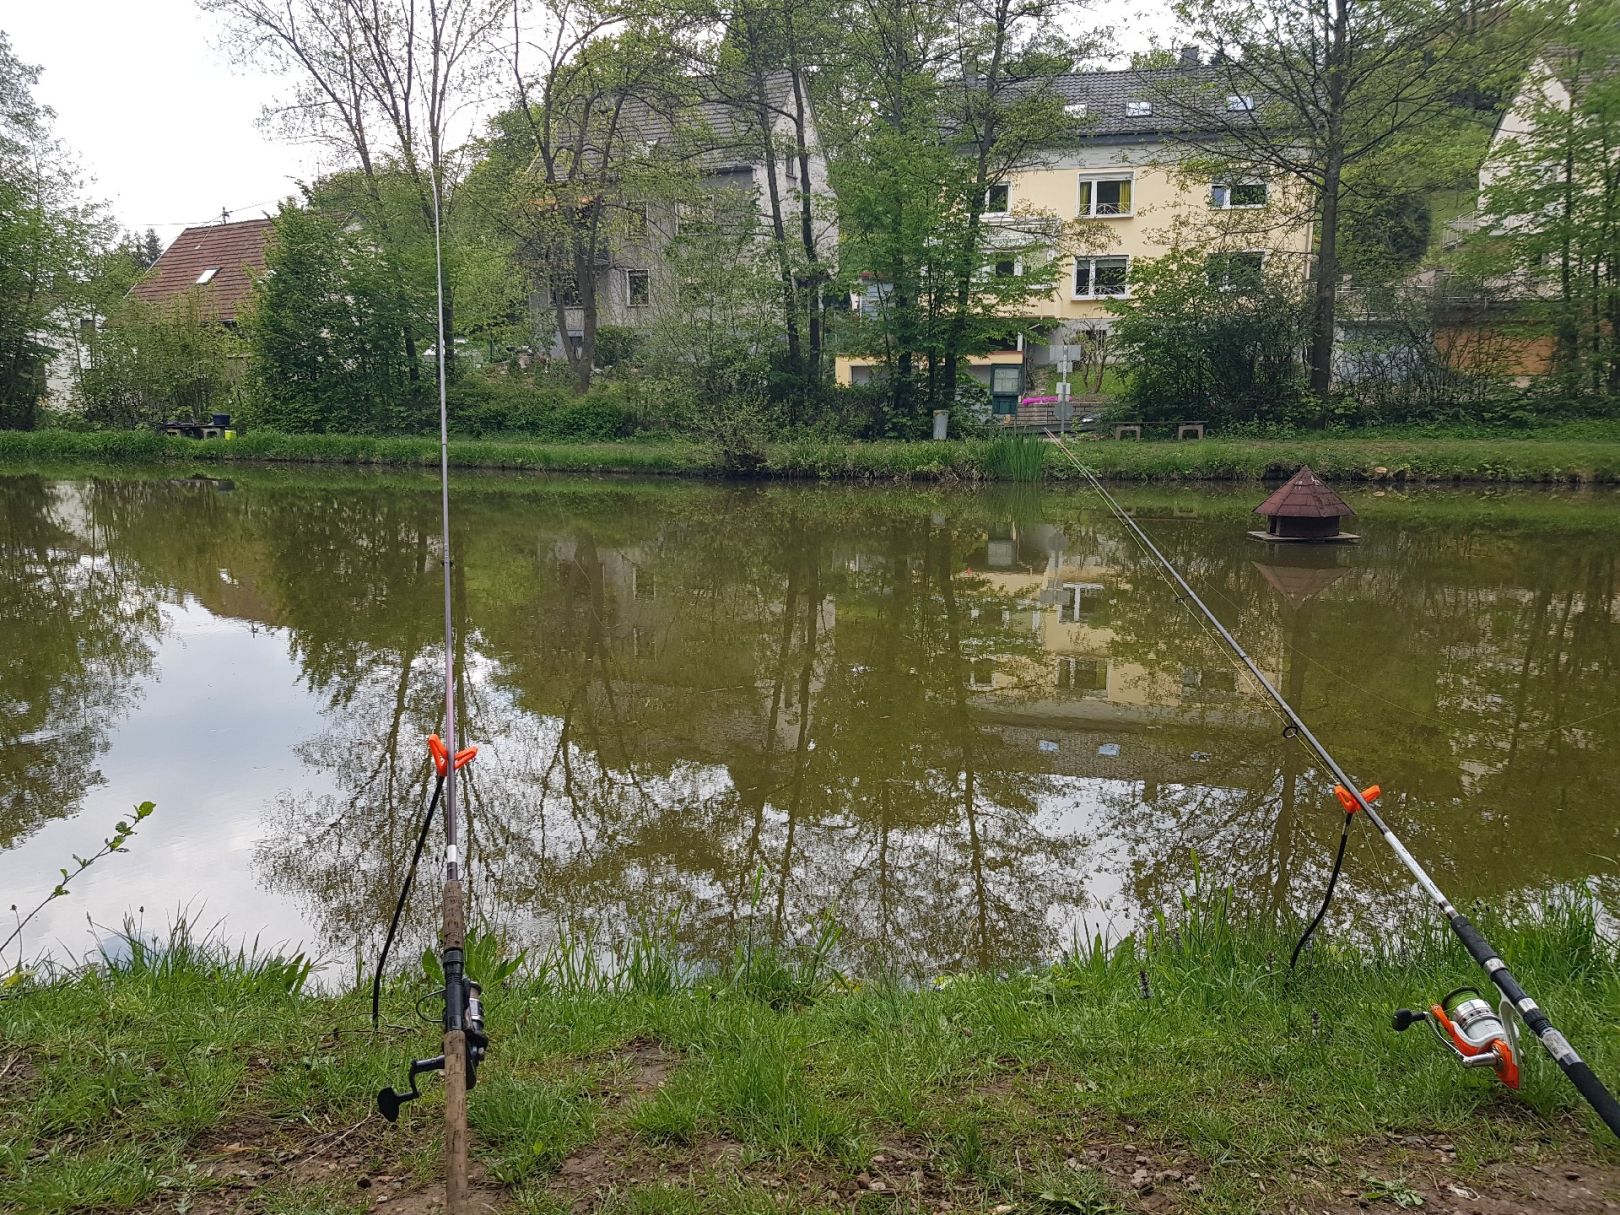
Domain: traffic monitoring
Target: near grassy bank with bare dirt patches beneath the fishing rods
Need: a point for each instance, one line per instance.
(1185, 1072)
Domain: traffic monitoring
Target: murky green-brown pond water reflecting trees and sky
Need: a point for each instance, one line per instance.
(966, 725)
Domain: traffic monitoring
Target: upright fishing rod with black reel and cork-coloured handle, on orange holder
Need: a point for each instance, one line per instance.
(464, 1023)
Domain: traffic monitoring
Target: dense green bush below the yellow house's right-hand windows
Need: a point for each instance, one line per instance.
(1203, 343)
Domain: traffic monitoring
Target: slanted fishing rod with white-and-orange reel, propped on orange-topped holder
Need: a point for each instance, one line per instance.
(1469, 1028)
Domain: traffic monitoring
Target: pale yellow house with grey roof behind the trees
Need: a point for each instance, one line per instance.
(1119, 194)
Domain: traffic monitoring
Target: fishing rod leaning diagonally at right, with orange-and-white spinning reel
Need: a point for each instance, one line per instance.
(1355, 801)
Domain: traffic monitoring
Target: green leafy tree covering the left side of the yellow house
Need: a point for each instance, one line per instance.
(944, 108)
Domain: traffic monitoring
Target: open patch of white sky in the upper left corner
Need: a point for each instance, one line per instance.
(158, 117)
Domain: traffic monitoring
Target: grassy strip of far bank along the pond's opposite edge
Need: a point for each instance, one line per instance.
(1399, 458)
